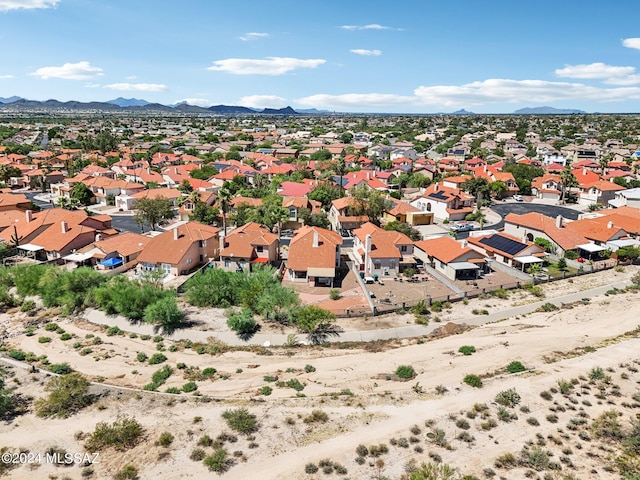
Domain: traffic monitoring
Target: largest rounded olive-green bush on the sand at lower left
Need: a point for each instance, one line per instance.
(67, 395)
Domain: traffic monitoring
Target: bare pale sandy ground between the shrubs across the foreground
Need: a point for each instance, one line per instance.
(356, 387)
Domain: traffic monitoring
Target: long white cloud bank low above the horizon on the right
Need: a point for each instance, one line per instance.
(486, 92)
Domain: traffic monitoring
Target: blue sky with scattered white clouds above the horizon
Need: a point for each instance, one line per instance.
(417, 56)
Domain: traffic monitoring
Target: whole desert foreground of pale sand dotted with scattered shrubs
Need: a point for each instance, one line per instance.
(345, 410)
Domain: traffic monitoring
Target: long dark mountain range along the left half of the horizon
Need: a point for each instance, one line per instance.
(135, 104)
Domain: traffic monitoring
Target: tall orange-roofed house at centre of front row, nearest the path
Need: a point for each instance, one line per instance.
(314, 256)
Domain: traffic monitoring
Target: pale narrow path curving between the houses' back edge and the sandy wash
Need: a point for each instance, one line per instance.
(409, 331)
